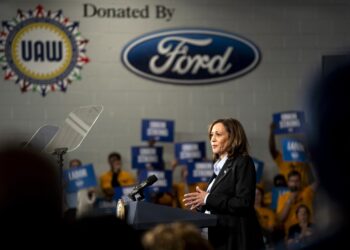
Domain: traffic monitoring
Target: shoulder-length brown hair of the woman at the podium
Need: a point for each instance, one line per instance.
(237, 138)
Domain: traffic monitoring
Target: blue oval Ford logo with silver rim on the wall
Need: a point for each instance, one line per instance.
(190, 56)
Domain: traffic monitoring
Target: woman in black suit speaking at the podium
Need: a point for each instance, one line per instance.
(231, 191)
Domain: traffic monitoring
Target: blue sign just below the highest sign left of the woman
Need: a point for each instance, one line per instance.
(143, 156)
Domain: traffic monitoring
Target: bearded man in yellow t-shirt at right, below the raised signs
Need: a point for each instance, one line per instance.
(289, 201)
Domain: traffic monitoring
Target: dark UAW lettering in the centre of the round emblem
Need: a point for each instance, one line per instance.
(42, 51)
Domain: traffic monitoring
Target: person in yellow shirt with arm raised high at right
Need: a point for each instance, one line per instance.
(285, 167)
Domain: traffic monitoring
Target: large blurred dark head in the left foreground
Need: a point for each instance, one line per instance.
(30, 187)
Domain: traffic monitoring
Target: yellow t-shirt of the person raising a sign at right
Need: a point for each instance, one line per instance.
(285, 167)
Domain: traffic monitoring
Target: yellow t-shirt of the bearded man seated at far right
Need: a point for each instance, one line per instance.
(305, 197)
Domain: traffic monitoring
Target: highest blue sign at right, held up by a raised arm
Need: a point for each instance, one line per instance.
(290, 122)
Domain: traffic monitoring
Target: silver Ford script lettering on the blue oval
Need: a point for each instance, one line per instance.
(182, 63)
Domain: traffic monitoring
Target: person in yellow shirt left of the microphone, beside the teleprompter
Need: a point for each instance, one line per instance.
(115, 177)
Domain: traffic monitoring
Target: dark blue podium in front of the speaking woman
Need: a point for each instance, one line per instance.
(143, 215)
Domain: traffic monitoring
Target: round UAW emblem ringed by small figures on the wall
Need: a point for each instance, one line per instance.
(42, 50)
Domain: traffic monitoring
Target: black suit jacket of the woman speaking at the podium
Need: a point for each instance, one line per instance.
(231, 198)
